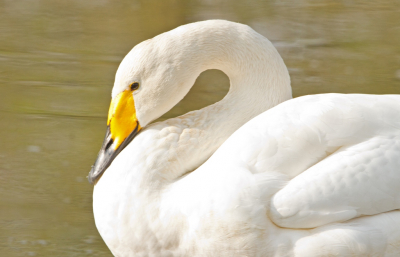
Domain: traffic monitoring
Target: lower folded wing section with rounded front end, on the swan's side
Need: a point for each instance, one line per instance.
(356, 180)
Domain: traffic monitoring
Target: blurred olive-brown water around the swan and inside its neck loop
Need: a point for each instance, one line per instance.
(57, 65)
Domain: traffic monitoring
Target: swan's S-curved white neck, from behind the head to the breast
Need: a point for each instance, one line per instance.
(259, 80)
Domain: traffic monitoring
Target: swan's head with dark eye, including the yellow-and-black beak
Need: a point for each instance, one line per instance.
(151, 79)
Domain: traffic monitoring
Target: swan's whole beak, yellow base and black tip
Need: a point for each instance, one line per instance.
(122, 127)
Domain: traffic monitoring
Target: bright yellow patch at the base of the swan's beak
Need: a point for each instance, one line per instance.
(122, 118)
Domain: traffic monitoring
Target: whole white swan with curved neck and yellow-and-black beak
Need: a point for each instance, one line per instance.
(255, 174)
